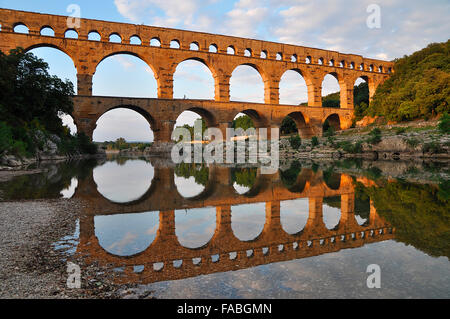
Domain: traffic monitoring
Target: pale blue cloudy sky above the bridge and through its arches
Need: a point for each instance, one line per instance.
(346, 26)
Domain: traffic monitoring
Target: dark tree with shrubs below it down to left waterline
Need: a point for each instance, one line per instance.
(31, 102)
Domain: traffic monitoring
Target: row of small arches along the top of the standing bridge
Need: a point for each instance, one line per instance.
(213, 48)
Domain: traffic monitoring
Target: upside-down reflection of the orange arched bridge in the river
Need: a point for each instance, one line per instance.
(167, 259)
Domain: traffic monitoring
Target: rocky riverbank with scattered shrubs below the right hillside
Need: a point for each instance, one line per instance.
(407, 141)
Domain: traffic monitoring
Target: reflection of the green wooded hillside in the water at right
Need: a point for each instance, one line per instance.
(419, 213)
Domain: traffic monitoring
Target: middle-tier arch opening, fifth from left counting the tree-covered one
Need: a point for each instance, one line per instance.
(293, 88)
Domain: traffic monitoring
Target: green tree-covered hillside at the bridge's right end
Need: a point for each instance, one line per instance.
(419, 88)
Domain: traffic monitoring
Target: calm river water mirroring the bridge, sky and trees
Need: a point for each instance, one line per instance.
(206, 231)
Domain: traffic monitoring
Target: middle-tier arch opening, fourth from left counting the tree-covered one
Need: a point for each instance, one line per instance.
(247, 84)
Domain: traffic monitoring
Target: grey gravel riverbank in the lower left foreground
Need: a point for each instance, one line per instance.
(33, 238)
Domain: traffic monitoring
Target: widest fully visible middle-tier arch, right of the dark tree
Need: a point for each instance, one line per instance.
(134, 76)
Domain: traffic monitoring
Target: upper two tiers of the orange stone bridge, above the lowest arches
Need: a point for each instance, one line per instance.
(153, 46)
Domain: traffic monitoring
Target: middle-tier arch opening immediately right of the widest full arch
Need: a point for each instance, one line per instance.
(194, 79)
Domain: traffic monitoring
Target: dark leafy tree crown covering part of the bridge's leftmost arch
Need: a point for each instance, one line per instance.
(28, 92)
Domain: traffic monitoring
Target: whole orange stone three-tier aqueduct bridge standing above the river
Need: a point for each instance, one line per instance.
(270, 59)
